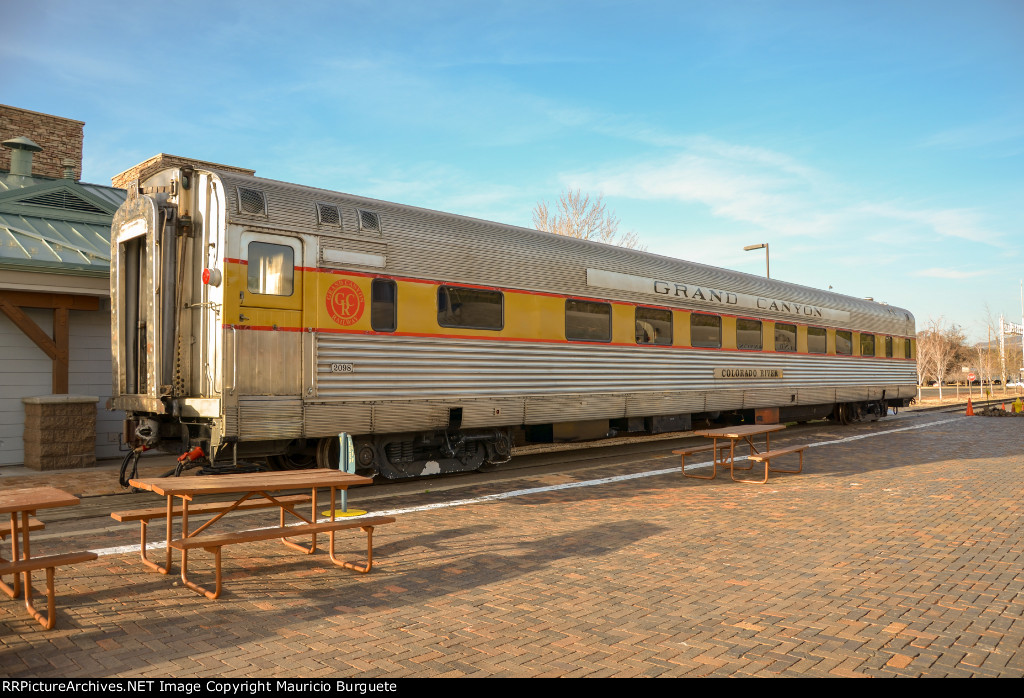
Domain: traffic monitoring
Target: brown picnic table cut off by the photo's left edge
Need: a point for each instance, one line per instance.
(22, 505)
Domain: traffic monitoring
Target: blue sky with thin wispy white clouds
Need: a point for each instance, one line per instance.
(877, 147)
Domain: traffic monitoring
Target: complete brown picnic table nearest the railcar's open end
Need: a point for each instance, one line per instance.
(247, 487)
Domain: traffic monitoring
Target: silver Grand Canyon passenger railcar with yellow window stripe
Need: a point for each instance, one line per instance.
(259, 319)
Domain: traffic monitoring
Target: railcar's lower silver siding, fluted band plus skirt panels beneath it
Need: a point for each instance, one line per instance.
(568, 382)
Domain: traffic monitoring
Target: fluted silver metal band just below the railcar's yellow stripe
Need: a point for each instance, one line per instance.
(388, 368)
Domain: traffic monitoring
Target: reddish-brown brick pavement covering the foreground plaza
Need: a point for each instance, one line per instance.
(895, 555)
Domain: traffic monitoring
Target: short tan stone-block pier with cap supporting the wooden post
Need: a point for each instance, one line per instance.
(60, 431)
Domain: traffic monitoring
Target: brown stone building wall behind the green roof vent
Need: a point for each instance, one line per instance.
(59, 138)
